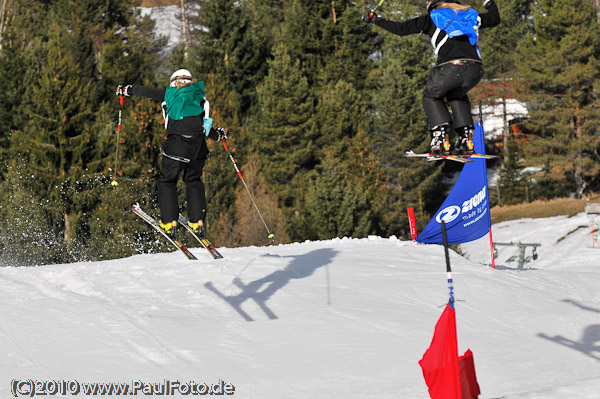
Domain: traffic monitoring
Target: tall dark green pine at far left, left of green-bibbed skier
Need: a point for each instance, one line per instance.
(57, 135)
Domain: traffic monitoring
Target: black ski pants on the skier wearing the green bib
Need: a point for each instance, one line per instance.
(176, 151)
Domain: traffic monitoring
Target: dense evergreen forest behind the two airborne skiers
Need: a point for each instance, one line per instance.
(318, 106)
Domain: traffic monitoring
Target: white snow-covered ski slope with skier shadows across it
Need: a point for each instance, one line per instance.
(344, 318)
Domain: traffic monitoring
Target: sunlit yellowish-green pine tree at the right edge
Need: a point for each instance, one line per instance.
(559, 71)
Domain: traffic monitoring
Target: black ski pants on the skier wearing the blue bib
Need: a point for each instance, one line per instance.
(450, 83)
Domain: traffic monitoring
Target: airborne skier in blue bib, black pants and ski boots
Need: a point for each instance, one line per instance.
(453, 29)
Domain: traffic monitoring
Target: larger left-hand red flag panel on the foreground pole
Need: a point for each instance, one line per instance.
(440, 361)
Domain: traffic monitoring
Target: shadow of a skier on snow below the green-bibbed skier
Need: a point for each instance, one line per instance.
(261, 290)
